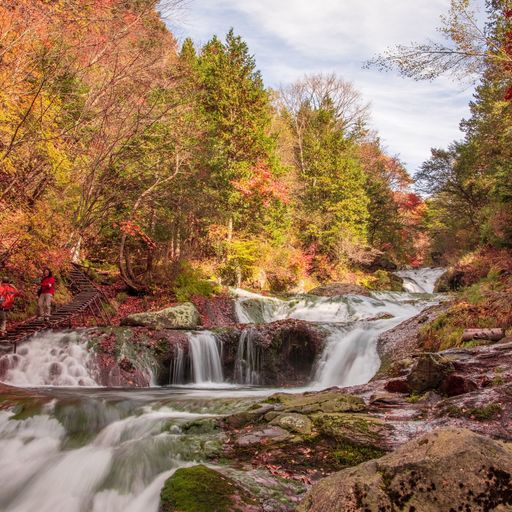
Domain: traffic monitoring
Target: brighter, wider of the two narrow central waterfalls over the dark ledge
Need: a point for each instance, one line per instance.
(205, 354)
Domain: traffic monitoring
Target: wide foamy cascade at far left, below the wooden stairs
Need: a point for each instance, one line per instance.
(50, 359)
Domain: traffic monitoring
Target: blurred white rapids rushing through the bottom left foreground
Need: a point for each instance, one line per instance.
(122, 469)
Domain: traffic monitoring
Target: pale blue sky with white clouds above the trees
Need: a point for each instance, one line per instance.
(290, 38)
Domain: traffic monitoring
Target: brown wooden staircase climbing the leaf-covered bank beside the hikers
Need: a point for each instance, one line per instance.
(87, 300)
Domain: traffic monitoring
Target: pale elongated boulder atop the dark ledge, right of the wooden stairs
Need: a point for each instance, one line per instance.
(184, 316)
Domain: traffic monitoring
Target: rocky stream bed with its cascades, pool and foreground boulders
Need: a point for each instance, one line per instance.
(429, 432)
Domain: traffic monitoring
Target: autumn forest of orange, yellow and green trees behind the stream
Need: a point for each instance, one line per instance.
(124, 150)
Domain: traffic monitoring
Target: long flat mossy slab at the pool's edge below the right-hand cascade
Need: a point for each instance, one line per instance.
(325, 401)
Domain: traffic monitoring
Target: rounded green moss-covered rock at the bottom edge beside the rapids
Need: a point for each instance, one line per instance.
(202, 489)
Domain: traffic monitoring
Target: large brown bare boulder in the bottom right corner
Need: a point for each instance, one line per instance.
(439, 471)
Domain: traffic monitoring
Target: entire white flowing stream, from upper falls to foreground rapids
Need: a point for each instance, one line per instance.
(83, 448)
